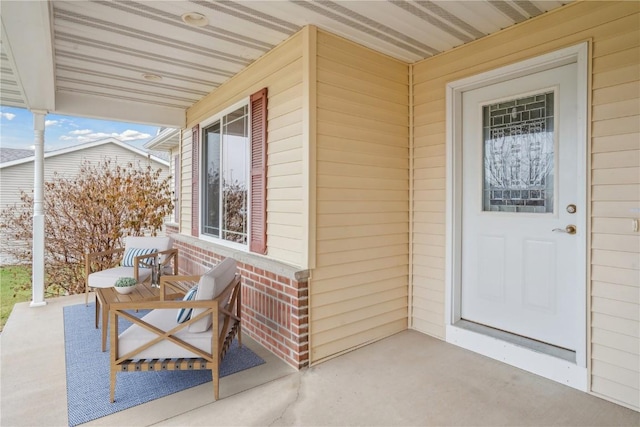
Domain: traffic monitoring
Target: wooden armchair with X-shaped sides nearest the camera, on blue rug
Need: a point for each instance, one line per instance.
(158, 342)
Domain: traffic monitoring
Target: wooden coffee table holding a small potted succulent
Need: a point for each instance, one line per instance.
(143, 292)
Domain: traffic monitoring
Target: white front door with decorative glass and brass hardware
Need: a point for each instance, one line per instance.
(519, 203)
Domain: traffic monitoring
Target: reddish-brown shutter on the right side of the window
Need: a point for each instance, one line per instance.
(258, 208)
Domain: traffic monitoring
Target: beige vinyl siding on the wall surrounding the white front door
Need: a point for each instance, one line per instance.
(615, 175)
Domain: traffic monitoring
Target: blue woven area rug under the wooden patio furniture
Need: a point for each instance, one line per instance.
(88, 371)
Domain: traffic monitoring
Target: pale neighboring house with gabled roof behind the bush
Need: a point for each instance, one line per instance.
(16, 172)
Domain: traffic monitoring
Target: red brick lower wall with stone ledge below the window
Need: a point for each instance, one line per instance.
(275, 309)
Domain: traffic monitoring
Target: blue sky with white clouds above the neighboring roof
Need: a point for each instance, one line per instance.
(16, 130)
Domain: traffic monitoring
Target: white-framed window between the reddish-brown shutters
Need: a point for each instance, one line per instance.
(225, 177)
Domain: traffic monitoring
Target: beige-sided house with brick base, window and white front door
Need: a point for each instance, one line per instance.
(372, 227)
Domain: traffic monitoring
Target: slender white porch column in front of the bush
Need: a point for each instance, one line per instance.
(37, 287)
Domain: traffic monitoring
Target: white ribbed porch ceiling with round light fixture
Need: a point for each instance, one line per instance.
(88, 58)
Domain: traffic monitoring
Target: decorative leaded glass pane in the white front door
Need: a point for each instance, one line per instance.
(519, 143)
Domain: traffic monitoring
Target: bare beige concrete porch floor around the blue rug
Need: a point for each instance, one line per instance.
(407, 379)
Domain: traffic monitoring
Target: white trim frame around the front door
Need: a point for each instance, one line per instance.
(571, 374)
